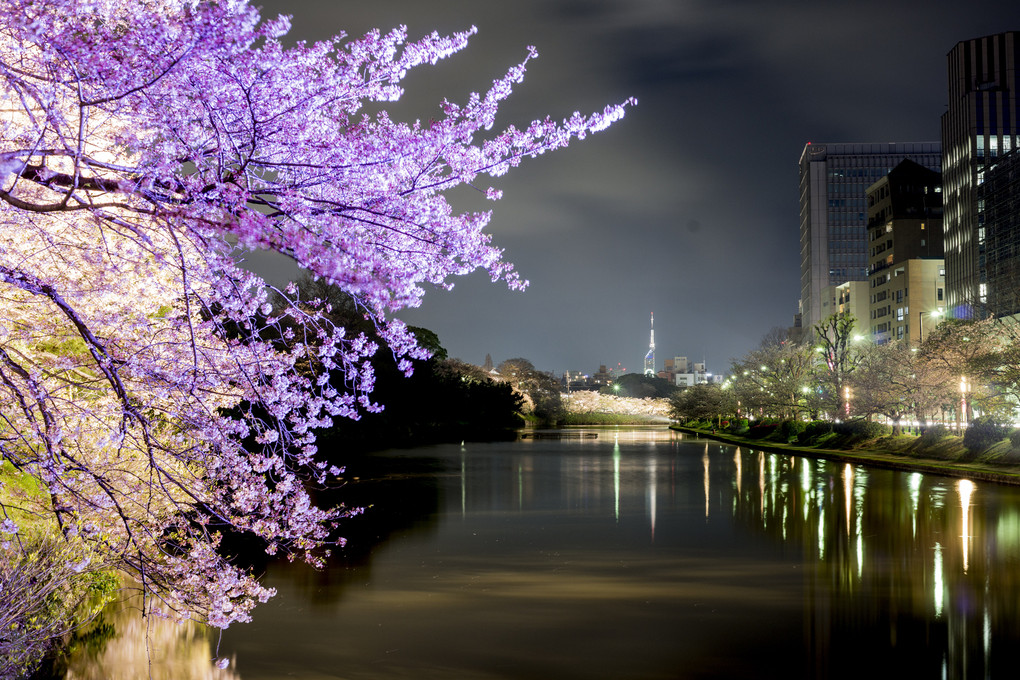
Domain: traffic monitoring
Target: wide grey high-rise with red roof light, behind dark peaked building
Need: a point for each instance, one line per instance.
(834, 212)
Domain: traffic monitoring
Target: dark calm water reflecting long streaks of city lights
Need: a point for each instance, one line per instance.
(640, 554)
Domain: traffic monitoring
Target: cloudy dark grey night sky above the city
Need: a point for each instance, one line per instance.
(687, 208)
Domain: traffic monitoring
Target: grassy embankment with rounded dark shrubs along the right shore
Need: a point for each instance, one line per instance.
(936, 452)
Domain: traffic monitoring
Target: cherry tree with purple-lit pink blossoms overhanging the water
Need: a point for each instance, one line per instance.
(147, 384)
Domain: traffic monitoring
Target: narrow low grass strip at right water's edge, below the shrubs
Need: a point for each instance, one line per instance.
(983, 470)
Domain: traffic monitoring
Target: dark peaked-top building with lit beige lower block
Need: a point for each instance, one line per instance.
(907, 277)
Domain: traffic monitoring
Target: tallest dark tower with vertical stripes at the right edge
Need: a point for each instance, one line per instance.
(981, 124)
